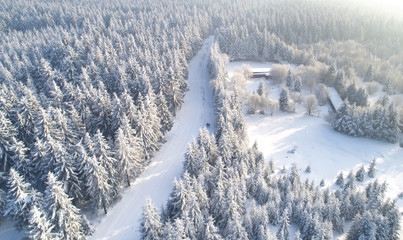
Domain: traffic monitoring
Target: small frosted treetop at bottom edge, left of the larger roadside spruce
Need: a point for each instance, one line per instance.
(39, 227)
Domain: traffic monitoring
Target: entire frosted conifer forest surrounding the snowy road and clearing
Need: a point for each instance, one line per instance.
(89, 90)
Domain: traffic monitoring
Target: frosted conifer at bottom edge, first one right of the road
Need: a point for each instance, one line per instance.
(150, 226)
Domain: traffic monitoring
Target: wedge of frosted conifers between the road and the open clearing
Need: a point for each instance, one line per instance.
(228, 191)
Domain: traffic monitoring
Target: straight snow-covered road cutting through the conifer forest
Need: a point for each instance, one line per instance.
(122, 221)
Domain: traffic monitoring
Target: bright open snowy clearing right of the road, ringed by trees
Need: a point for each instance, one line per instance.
(316, 144)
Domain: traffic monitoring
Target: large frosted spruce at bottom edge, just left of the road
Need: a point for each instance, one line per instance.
(60, 212)
